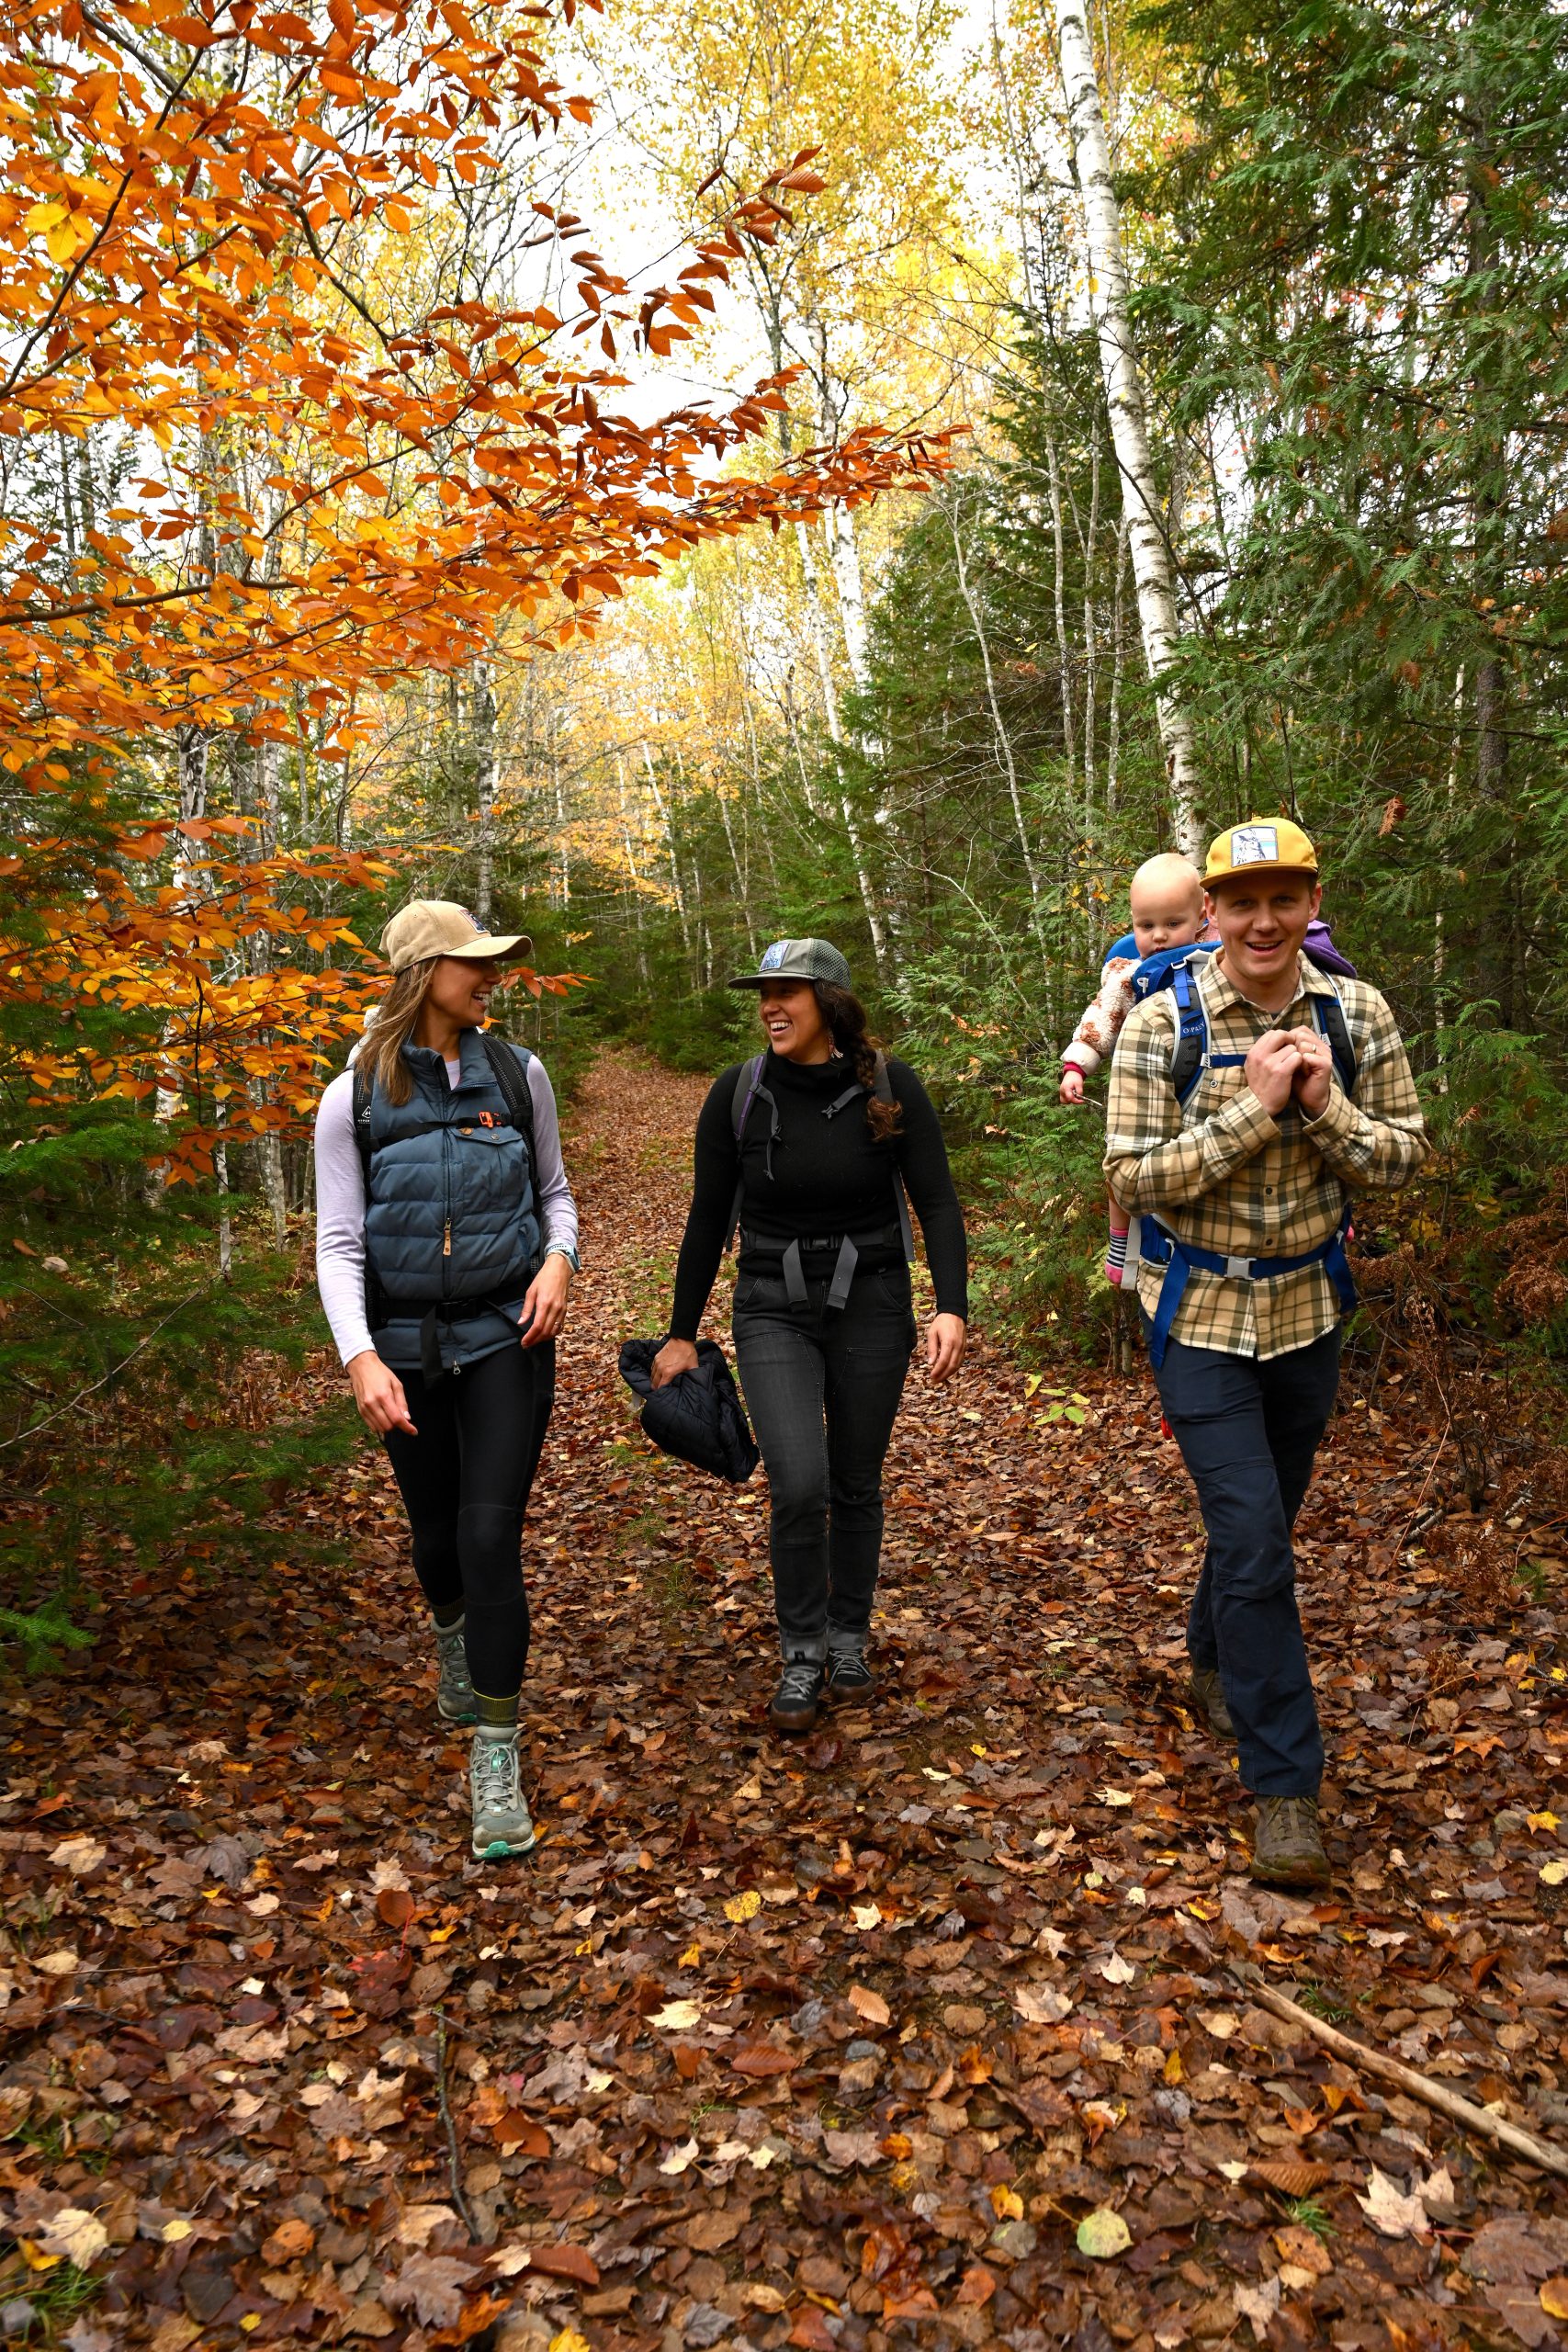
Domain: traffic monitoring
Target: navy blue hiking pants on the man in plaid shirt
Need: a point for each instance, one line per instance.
(1249, 1434)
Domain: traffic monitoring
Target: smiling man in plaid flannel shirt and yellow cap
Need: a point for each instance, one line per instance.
(1242, 1198)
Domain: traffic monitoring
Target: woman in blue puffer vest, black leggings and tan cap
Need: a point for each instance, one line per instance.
(445, 1255)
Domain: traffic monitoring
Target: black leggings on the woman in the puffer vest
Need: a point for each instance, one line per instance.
(467, 1485)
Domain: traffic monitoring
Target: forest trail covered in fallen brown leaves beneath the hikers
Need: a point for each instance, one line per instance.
(822, 2045)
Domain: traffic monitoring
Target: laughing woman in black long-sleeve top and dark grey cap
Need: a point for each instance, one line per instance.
(824, 1318)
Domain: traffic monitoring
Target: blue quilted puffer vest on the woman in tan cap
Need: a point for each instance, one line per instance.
(453, 1224)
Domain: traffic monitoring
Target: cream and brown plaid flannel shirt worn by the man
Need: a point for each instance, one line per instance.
(1228, 1177)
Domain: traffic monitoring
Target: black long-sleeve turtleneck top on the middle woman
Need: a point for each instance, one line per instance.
(829, 1177)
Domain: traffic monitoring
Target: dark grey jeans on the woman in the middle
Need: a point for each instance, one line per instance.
(824, 1387)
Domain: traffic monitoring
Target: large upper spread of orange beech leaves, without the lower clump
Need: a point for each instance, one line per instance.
(187, 201)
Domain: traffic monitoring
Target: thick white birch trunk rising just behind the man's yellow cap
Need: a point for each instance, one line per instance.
(1130, 427)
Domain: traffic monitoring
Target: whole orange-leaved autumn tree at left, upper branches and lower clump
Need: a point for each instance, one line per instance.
(311, 497)
